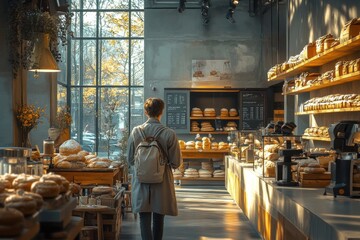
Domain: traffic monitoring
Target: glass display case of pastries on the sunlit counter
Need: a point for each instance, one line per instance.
(269, 152)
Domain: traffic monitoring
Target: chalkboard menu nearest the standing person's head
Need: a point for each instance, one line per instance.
(176, 103)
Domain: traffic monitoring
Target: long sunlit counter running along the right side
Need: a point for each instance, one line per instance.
(291, 212)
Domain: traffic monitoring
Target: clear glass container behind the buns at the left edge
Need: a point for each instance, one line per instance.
(13, 159)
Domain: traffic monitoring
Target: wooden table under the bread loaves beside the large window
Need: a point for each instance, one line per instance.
(91, 176)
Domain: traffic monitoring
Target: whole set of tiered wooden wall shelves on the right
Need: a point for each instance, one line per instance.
(347, 83)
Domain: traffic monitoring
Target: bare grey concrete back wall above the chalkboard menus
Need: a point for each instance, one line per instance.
(173, 40)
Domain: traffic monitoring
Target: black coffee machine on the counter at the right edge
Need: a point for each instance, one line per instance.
(345, 139)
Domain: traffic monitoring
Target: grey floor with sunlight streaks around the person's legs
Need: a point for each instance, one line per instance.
(205, 213)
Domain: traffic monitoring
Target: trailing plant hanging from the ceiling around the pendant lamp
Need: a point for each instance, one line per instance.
(27, 20)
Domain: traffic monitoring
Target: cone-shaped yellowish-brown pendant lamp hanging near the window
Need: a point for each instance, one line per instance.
(43, 59)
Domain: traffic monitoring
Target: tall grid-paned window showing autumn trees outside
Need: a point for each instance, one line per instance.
(105, 72)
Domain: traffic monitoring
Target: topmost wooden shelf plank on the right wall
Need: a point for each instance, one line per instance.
(329, 55)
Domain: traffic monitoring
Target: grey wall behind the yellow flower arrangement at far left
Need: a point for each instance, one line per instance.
(36, 91)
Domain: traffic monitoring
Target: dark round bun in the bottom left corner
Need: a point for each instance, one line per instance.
(11, 222)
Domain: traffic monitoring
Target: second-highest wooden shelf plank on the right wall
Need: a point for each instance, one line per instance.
(336, 81)
